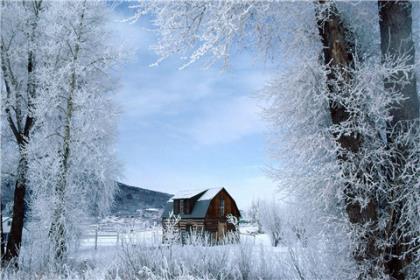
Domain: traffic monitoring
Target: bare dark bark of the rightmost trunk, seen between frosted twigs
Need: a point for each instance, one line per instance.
(396, 41)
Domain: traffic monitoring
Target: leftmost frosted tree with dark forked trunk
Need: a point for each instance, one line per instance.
(20, 61)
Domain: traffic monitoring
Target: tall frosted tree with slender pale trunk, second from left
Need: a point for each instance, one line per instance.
(73, 164)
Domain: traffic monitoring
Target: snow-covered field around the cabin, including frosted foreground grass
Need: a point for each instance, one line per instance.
(131, 248)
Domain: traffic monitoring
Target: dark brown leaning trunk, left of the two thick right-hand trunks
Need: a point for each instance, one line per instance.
(338, 57)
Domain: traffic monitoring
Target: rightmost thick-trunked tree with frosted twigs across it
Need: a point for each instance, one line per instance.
(402, 243)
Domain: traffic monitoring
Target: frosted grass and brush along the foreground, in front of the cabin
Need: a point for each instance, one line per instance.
(199, 258)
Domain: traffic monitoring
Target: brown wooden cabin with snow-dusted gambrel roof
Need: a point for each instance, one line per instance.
(202, 211)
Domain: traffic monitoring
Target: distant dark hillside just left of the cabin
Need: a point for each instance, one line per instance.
(129, 199)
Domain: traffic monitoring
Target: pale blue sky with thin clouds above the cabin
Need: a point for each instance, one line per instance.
(191, 128)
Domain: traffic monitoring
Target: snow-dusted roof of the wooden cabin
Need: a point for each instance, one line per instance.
(200, 207)
